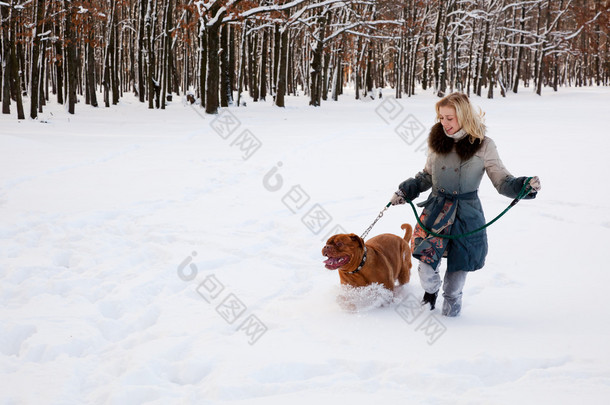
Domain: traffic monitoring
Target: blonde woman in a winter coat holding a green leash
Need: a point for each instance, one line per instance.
(459, 153)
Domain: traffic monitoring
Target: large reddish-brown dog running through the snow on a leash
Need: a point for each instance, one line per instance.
(383, 259)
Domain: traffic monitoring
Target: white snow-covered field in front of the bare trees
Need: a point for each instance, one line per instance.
(170, 258)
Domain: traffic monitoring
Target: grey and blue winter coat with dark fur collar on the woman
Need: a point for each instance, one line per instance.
(454, 171)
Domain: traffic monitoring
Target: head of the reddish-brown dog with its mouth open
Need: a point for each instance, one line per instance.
(344, 251)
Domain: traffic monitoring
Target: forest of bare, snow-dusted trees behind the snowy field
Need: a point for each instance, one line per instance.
(215, 53)
